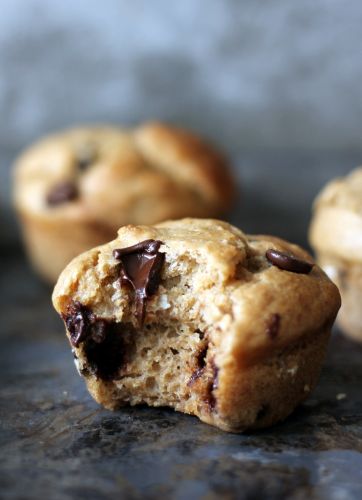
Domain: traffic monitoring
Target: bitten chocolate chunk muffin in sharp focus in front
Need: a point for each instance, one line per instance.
(197, 316)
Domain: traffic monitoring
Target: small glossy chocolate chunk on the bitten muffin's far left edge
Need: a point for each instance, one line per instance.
(81, 323)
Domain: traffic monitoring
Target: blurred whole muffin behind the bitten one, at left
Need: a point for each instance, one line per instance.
(73, 190)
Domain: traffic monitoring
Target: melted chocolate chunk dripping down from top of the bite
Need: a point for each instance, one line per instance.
(141, 266)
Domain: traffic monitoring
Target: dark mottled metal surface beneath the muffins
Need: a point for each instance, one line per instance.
(57, 443)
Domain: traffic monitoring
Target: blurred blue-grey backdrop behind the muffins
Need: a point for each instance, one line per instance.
(276, 84)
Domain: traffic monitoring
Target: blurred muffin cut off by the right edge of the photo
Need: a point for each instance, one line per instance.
(336, 236)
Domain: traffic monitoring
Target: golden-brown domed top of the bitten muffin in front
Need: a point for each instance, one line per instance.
(228, 282)
